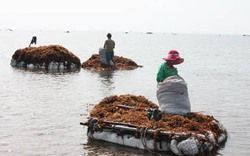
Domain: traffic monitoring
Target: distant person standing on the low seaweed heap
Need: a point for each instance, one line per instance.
(109, 46)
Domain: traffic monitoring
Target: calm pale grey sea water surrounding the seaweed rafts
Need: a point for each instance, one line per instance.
(40, 111)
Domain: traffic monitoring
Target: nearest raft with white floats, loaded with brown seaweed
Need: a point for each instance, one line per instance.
(123, 120)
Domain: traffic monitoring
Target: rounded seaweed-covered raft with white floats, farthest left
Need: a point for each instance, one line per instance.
(52, 57)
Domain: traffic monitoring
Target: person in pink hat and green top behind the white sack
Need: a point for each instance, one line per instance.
(167, 68)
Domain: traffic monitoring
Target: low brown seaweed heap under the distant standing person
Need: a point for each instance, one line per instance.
(121, 63)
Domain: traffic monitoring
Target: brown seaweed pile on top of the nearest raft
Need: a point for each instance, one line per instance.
(132, 110)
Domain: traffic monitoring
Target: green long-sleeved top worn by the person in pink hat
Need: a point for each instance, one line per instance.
(164, 72)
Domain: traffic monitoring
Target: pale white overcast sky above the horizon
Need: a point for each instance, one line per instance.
(173, 16)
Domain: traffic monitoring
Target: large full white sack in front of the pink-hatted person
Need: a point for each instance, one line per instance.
(172, 95)
